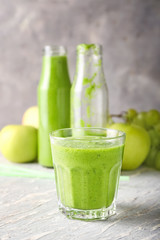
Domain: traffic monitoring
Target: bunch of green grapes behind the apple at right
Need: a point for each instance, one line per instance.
(151, 122)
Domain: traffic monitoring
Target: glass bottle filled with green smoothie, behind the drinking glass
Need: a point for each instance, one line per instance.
(53, 99)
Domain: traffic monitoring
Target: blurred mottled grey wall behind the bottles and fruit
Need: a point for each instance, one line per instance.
(129, 31)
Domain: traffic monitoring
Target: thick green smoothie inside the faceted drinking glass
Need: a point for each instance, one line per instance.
(87, 178)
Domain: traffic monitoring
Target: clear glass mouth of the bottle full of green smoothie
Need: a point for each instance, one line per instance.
(54, 50)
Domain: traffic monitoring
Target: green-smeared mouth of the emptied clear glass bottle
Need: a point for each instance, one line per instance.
(95, 49)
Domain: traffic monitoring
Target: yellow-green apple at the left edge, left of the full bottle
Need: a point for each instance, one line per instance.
(19, 143)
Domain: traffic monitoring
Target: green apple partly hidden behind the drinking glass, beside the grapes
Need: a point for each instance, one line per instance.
(137, 145)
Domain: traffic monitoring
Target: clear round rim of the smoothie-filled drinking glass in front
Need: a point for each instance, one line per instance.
(83, 138)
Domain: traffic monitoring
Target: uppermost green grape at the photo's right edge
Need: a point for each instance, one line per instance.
(152, 118)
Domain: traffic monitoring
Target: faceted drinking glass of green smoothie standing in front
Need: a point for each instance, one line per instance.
(87, 164)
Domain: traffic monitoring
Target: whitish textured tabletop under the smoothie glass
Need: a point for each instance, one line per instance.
(29, 210)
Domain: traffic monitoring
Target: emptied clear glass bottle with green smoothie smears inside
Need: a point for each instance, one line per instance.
(89, 93)
